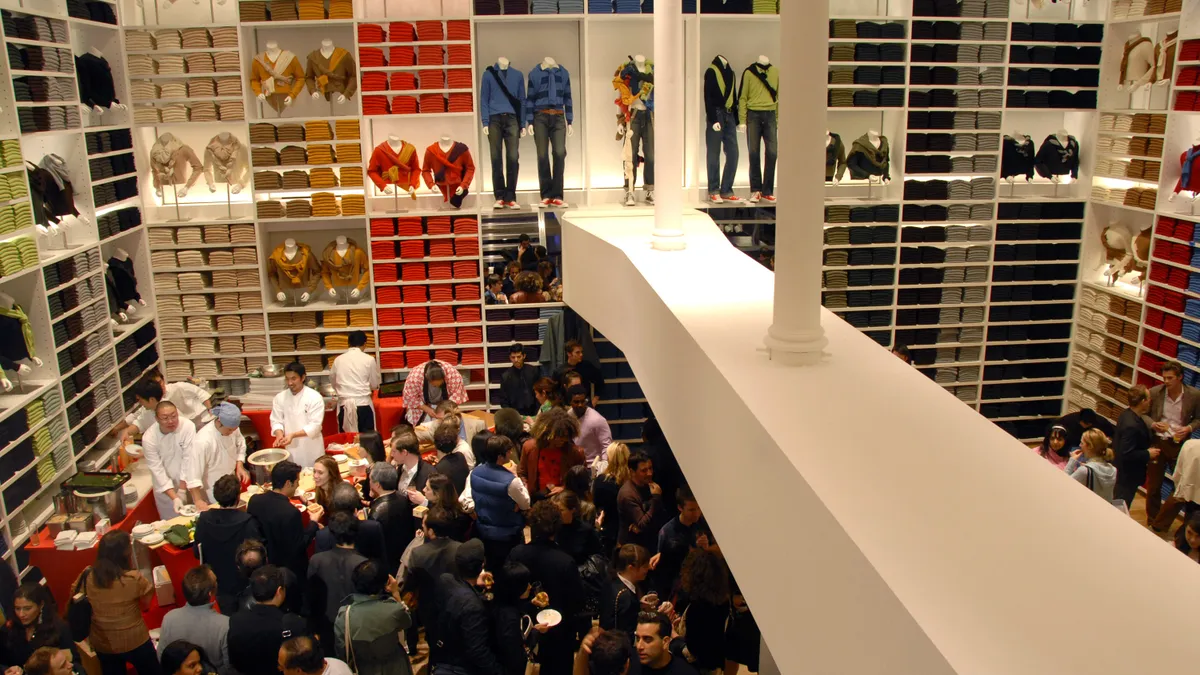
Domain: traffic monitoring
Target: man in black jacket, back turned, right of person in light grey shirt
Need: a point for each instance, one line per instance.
(256, 635)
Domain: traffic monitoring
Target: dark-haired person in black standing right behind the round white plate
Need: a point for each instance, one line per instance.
(560, 578)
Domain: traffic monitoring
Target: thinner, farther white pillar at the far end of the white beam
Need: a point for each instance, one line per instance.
(669, 118)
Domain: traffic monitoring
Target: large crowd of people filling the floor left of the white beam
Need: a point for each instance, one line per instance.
(537, 542)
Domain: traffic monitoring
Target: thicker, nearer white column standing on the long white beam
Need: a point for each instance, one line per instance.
(796, 337)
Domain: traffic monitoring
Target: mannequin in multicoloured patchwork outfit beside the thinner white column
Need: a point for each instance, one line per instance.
(634, 83)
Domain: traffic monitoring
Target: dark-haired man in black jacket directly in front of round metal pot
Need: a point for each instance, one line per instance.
(287, 539)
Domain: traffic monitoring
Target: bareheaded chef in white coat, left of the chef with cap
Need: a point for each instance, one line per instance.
(166, 447)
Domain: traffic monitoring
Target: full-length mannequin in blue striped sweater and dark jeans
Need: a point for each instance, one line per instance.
(550, 118)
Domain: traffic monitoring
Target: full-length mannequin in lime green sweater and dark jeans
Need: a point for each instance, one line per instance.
(759, 117)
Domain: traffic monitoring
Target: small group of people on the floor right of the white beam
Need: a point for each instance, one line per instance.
(1154, 434)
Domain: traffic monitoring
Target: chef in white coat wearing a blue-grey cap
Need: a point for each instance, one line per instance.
(220, 450)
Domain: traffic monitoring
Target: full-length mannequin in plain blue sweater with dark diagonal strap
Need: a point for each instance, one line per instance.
(501, 93)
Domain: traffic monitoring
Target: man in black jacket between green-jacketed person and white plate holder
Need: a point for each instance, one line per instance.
(464, 646)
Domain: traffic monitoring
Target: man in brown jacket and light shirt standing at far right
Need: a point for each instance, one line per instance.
(1175, 413)
